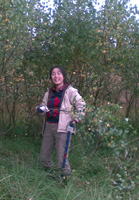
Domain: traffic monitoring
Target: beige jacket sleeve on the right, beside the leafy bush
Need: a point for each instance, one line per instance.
(78, 105)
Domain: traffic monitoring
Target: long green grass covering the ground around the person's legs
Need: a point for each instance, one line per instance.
(22, 177)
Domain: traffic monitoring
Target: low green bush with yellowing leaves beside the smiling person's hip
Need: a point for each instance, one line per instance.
(104, 126)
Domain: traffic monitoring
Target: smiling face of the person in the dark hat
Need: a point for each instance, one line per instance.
(57, 77)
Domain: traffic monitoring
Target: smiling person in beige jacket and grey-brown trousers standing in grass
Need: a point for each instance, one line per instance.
(64, 104)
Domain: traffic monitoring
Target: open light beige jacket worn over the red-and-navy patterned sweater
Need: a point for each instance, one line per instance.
(72, 108)
